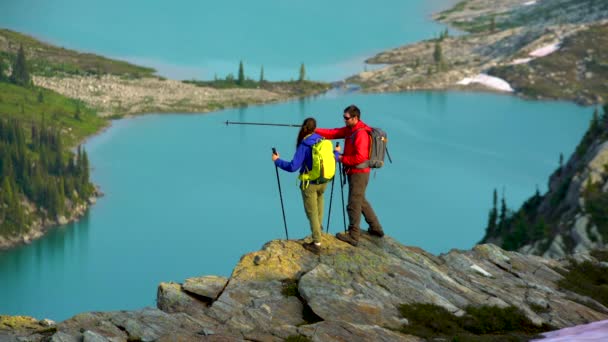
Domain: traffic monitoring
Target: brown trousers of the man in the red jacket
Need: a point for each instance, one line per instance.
(358, 204)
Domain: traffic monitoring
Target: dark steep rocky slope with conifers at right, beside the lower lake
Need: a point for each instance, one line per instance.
(572, 217)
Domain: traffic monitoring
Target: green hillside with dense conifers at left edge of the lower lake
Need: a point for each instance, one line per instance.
(45, 178)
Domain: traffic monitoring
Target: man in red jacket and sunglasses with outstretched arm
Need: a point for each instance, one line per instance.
(355, 157)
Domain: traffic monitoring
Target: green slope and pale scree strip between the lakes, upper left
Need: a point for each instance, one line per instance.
(117, 88)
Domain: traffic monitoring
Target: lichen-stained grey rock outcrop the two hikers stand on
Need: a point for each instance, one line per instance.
(345, 294)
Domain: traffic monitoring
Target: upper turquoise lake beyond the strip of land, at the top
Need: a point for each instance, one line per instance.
(200, 39)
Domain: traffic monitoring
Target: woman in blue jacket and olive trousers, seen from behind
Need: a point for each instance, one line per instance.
(312, 192)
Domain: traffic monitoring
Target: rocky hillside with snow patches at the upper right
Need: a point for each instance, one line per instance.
(510, 40)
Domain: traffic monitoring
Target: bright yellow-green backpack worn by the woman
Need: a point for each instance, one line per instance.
(323, 164)
